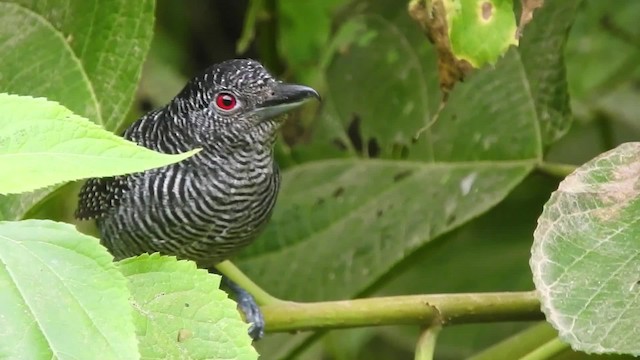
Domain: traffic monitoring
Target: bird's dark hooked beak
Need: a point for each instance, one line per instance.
(285, 97)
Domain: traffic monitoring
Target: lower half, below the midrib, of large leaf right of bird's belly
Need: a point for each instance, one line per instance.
(328, 210)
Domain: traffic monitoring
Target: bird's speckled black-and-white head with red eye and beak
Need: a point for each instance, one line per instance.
(236, 101)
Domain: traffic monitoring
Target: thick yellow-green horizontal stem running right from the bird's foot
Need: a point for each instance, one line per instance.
(442, 309)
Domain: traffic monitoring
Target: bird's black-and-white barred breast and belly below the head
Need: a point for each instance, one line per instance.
(203, 213)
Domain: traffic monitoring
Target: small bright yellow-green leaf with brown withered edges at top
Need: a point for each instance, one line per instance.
(480, 31)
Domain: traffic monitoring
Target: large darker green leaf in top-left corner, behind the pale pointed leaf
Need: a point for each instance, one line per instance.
(86, 55)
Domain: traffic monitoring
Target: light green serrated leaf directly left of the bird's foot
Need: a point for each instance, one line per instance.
(182, 313)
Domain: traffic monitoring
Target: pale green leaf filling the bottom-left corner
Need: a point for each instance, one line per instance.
(61, 295)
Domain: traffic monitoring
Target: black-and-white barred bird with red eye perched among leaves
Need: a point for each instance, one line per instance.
(211, 205)
